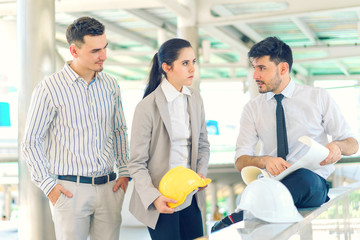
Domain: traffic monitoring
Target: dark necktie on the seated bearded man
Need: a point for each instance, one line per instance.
(282, 145)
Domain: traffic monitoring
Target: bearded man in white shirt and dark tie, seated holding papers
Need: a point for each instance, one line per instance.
(308, 111)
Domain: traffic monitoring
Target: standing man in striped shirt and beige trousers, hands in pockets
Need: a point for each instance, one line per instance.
(74, 137)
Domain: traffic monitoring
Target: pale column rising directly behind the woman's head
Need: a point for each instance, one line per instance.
(188, 30)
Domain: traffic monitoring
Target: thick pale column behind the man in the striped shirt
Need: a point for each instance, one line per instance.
(36, 59)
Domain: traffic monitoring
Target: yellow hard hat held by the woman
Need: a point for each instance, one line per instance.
(178, 182)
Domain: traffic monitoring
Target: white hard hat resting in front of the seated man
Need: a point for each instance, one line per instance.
(270, 201)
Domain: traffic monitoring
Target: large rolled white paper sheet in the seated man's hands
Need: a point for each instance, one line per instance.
(311, 160)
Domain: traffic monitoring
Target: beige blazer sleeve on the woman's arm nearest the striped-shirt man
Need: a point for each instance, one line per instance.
(141, 133)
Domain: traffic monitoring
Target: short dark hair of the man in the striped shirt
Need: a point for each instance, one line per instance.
(81, 27)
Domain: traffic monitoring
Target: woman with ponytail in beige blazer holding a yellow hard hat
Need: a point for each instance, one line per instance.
(168, 130)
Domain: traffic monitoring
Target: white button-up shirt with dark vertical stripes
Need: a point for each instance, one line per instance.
(75, 128)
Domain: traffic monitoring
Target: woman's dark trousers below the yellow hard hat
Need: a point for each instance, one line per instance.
(182, 225)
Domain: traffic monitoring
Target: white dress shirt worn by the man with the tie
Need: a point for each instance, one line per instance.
(309, 111)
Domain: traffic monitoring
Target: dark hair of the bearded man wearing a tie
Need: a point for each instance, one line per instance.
(273, 47)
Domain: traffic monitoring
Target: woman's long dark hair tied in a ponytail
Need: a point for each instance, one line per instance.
(168, 53)
